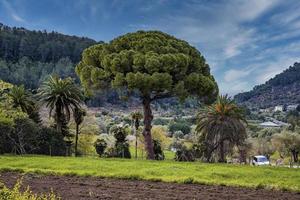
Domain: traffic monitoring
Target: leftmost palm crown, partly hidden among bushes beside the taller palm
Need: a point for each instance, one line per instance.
(23, 99)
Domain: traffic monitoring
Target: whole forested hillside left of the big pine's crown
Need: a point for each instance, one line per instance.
(27, 57)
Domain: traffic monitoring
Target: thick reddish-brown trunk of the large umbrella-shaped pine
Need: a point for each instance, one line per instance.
(147, 128)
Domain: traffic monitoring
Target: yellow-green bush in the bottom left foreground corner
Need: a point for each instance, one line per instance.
(17, 194)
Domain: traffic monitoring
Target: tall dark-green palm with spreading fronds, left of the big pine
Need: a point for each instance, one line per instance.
(61, 96)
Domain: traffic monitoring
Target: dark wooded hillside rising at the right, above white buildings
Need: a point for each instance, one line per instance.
(284, 88)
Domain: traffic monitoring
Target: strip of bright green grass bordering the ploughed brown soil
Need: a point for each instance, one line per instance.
(168, 171)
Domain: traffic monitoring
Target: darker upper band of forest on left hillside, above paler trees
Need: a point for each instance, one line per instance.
(16, 43)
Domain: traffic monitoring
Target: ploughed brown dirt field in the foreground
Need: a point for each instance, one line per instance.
(104, 188)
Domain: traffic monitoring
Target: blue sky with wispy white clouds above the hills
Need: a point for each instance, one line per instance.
(245, 42)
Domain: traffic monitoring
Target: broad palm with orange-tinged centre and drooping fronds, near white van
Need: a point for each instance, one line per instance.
(219, 123)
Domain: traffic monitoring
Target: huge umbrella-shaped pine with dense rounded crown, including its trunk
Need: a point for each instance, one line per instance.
(153, 65)
